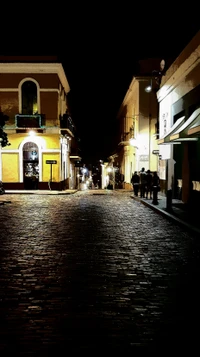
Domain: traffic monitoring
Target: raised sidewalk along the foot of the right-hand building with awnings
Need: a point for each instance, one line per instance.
(178, 213)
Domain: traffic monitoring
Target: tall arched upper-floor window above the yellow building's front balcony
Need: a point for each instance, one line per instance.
(29, 98)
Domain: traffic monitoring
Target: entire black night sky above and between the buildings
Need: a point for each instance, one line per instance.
(99, 46)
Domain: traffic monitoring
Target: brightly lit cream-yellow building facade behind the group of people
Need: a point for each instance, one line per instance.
(137, 122)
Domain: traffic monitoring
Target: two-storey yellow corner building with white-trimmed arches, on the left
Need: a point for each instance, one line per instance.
(43, 145)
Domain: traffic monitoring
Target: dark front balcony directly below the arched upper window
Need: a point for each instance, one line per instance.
(36, 121)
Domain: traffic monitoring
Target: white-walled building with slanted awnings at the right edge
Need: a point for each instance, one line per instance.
(179, 122)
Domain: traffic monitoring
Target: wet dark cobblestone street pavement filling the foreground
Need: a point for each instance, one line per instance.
(95, 273)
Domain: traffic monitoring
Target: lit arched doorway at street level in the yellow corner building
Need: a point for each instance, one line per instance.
(30, 166)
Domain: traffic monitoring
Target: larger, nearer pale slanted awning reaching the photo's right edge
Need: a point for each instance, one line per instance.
(182, 134)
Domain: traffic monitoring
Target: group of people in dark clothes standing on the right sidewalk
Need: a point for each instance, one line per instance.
(146, 183)
